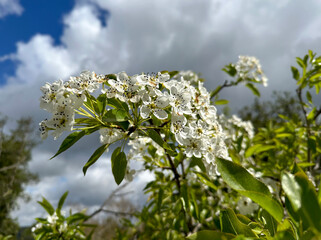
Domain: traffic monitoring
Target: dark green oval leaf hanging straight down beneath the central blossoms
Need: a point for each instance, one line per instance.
(118, 165)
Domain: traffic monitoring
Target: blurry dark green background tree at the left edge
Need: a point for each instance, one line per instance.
(15, 153)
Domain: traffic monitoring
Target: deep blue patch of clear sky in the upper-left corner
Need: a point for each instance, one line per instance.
(38, 16)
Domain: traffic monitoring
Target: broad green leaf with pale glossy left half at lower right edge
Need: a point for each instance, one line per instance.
(303, 198)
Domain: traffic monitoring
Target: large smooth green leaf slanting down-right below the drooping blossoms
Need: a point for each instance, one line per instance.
(242, 181)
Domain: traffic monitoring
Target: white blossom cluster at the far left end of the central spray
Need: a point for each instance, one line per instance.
(62, 99)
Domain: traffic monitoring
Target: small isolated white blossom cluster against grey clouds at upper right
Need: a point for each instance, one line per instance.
(250, 67)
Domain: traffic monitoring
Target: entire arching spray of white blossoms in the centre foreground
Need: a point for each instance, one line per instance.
(182, 103)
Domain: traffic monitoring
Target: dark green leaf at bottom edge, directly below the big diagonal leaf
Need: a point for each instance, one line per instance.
(231, 224)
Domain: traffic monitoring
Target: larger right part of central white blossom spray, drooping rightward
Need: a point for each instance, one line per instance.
(191, 117)
